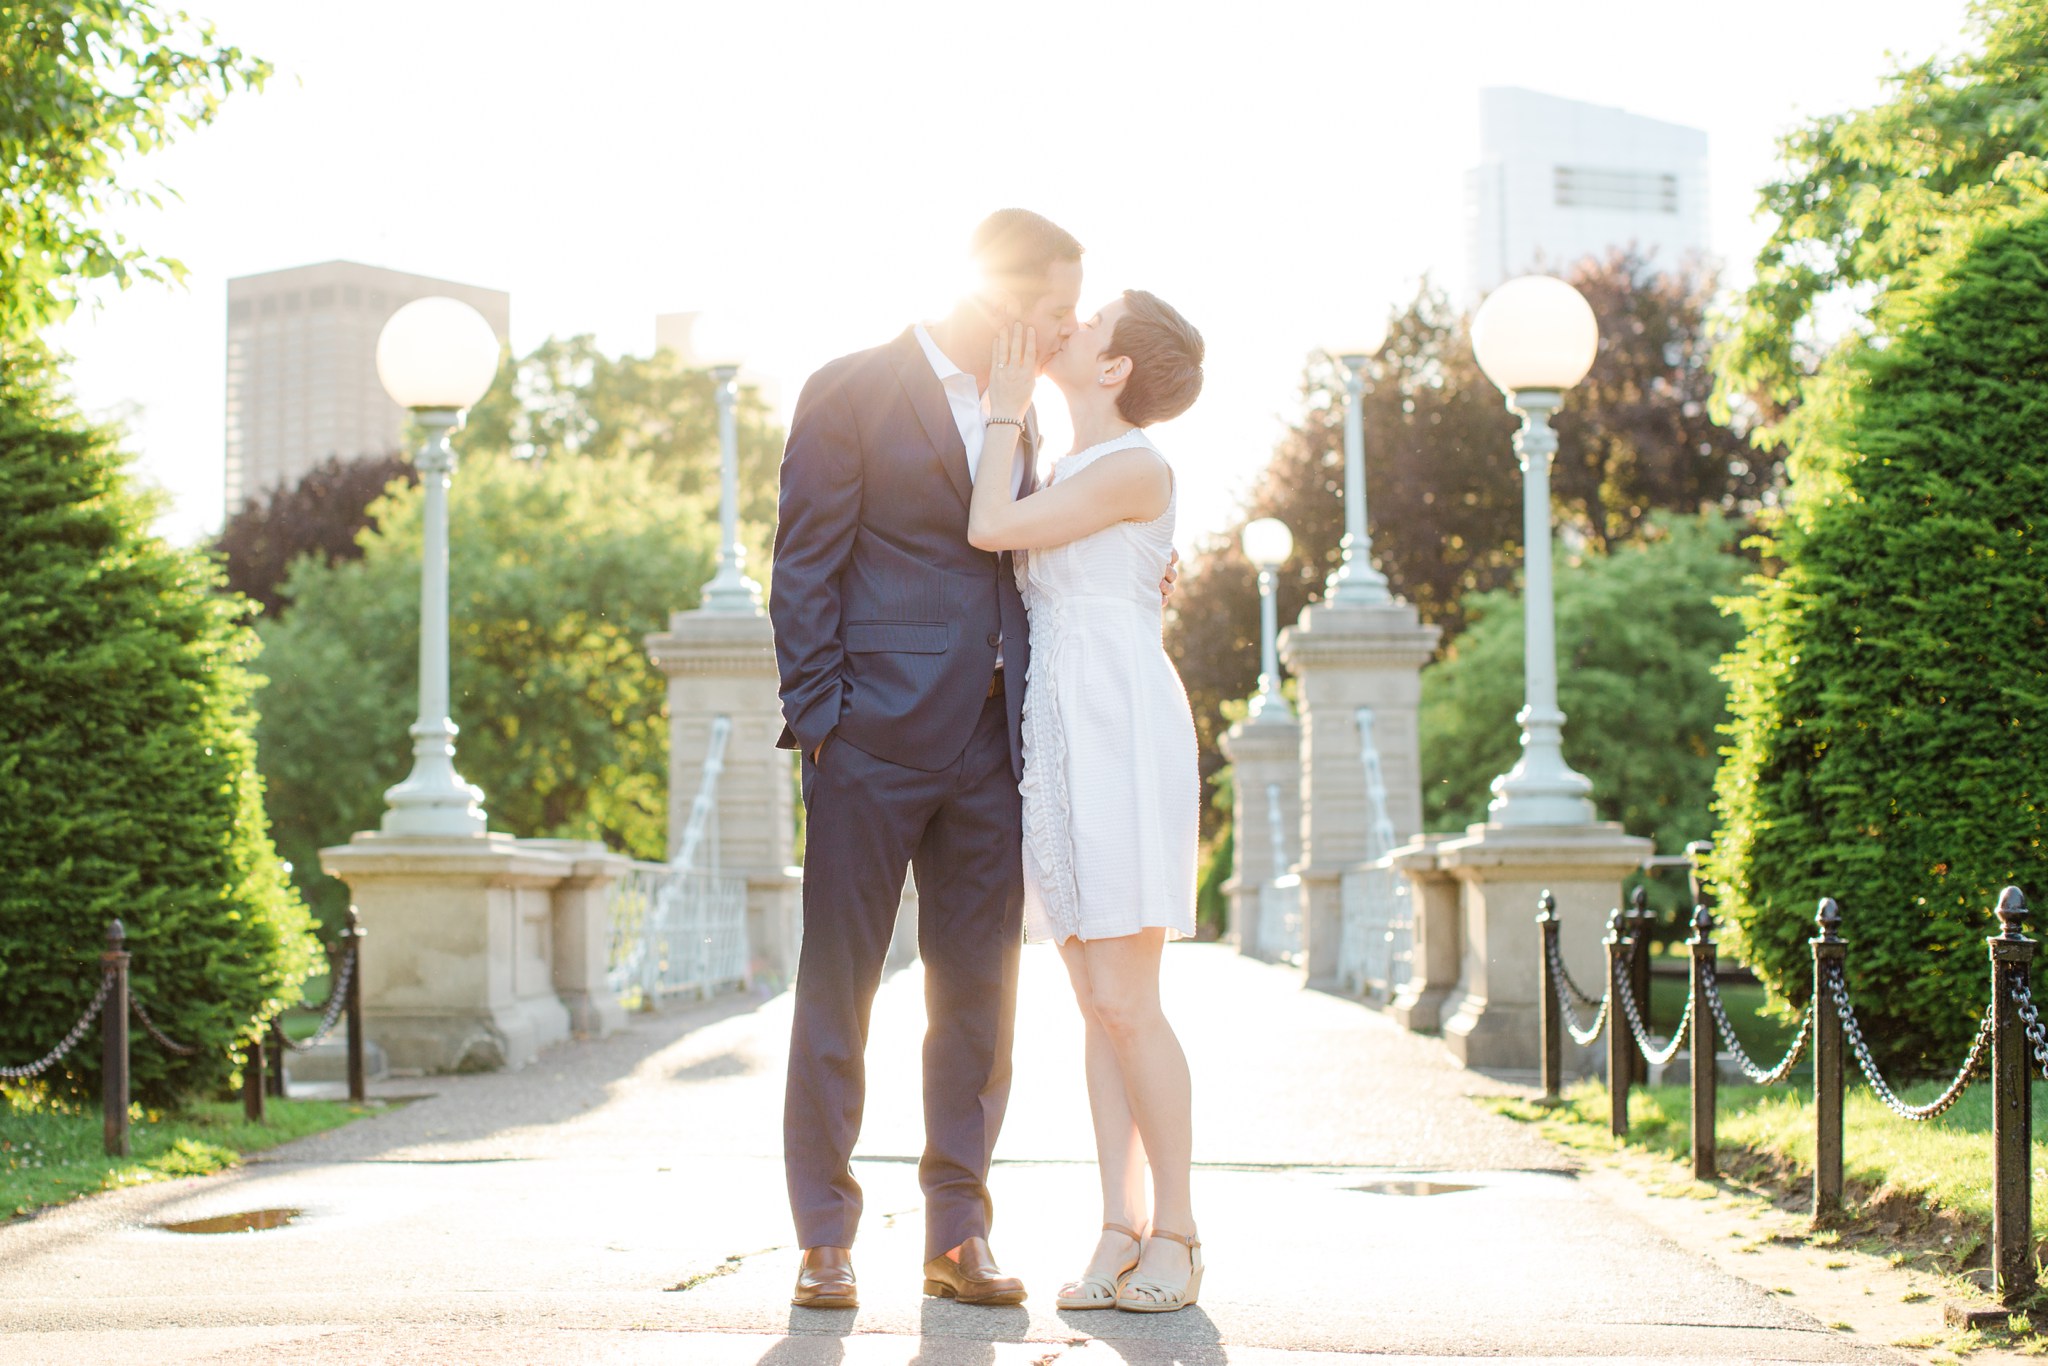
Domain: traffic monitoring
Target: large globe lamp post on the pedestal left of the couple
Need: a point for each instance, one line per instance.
(435, 357)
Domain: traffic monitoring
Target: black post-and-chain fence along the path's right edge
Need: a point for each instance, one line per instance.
(2012, 1045)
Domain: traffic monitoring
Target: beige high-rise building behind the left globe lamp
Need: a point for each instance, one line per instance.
(302, 368)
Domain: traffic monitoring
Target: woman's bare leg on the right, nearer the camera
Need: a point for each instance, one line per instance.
(1123, 982)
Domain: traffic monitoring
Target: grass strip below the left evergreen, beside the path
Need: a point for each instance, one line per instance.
(52, 1152)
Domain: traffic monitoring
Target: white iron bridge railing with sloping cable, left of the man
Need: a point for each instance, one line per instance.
(679, 929)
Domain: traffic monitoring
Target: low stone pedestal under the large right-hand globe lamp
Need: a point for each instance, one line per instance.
(1502, 871)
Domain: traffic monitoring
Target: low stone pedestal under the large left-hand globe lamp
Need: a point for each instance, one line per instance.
(460, 970)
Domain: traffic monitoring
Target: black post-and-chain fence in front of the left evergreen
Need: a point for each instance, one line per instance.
(114, 1005)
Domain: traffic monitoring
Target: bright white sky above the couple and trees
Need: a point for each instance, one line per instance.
(1279, 171)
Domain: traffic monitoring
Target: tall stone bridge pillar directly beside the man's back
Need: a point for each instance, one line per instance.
(724, 665)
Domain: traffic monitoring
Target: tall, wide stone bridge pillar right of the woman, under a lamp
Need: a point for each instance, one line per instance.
(1347, 658)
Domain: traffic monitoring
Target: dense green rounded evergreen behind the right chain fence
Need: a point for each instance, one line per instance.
(1891, 706)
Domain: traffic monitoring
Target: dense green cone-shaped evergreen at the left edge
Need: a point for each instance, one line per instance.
(128, 773)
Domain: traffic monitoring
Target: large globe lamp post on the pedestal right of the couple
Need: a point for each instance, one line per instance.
(1535, 337)
